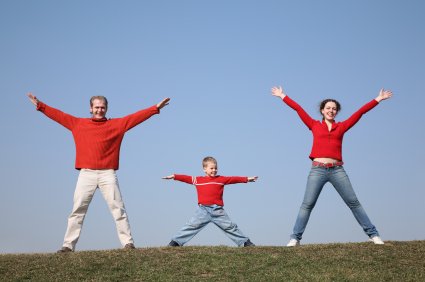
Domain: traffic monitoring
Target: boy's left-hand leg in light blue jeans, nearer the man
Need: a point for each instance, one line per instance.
(195, 224)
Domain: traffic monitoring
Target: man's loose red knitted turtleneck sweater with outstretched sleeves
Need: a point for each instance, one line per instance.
(97, 141)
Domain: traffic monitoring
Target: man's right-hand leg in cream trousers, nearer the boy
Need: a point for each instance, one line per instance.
(108, 185)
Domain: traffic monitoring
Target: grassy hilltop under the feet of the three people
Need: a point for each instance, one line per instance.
(394, 261)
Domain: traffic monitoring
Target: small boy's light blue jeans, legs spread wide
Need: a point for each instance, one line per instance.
(205, 215)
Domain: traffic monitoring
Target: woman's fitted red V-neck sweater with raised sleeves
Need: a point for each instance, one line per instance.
(328, 144)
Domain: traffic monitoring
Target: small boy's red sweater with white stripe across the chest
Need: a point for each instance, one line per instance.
(210, 189)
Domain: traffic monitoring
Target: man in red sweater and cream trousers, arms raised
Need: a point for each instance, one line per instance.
(97, 141)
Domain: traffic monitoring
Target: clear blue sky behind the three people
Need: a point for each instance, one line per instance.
(217, 60)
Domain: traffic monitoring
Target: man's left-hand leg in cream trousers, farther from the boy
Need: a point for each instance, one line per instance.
(84, 191)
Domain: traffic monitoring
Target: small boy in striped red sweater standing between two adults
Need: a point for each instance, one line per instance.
(210, 205)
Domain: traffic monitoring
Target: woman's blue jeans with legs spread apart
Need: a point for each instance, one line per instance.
(337, 176)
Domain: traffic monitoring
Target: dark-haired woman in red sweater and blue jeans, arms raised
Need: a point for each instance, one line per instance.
(327, 165)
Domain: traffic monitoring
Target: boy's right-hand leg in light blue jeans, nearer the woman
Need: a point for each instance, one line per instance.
(222, 220)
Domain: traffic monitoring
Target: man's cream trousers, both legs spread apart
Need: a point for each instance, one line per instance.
(107, 182)
